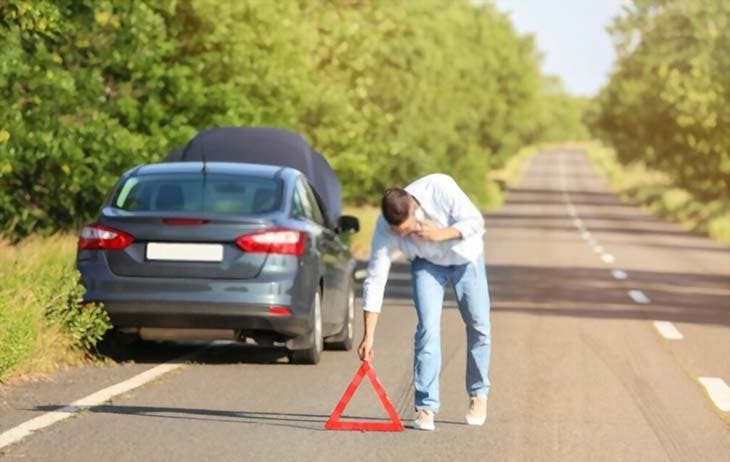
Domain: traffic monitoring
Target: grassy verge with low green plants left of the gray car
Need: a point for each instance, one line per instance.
(42, 325)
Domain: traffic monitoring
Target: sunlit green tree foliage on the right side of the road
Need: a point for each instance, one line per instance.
(668, 100)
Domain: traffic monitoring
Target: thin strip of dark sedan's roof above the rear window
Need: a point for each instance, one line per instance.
(215, 167)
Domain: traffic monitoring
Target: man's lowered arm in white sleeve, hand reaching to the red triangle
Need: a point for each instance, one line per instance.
(374, 286)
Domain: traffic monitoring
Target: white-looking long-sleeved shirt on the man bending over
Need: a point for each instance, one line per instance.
(445, 205)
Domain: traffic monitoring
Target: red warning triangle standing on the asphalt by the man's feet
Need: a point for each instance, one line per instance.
(334, 422)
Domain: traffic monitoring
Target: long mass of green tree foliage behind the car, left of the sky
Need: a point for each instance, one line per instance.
(387, 90)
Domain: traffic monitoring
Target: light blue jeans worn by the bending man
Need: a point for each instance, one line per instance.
(472, 293)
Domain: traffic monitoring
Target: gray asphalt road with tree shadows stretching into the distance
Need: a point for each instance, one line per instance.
(579, 370)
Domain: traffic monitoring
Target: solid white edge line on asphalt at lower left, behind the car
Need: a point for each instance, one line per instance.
(19, 432)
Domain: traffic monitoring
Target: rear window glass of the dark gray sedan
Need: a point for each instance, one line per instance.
(216, 193)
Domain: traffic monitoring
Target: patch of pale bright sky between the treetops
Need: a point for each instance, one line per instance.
(572, 36)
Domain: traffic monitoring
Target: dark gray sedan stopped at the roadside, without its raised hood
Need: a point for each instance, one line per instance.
(218, 250)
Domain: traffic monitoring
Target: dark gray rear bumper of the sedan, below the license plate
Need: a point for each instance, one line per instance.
(177, 303)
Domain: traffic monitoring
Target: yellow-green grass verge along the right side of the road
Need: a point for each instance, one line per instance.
(655, 192)
